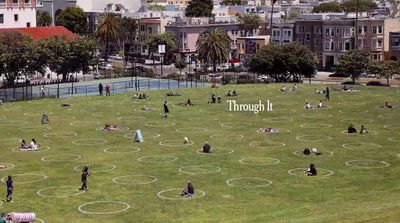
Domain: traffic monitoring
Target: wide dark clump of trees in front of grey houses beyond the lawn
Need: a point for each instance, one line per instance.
(289, 62)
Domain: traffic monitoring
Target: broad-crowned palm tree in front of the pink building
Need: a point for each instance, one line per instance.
(213, 45)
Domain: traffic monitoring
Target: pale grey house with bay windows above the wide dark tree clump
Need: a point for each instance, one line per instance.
(282, 33)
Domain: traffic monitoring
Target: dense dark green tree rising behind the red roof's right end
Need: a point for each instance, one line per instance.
(74, 19)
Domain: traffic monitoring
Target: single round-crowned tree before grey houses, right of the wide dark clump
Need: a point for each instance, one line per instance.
(354, 63)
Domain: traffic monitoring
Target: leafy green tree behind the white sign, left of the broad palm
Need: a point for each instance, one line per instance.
(168, 39)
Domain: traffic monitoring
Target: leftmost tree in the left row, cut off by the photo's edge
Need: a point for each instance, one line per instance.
(15, 53)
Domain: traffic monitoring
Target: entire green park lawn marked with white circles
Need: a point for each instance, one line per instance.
(363, 191)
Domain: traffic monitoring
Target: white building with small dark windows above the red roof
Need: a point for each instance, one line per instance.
(17, 13)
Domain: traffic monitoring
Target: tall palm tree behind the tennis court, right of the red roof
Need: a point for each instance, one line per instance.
(108, 30)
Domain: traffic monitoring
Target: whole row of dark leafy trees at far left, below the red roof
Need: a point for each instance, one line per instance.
(21, 56)
